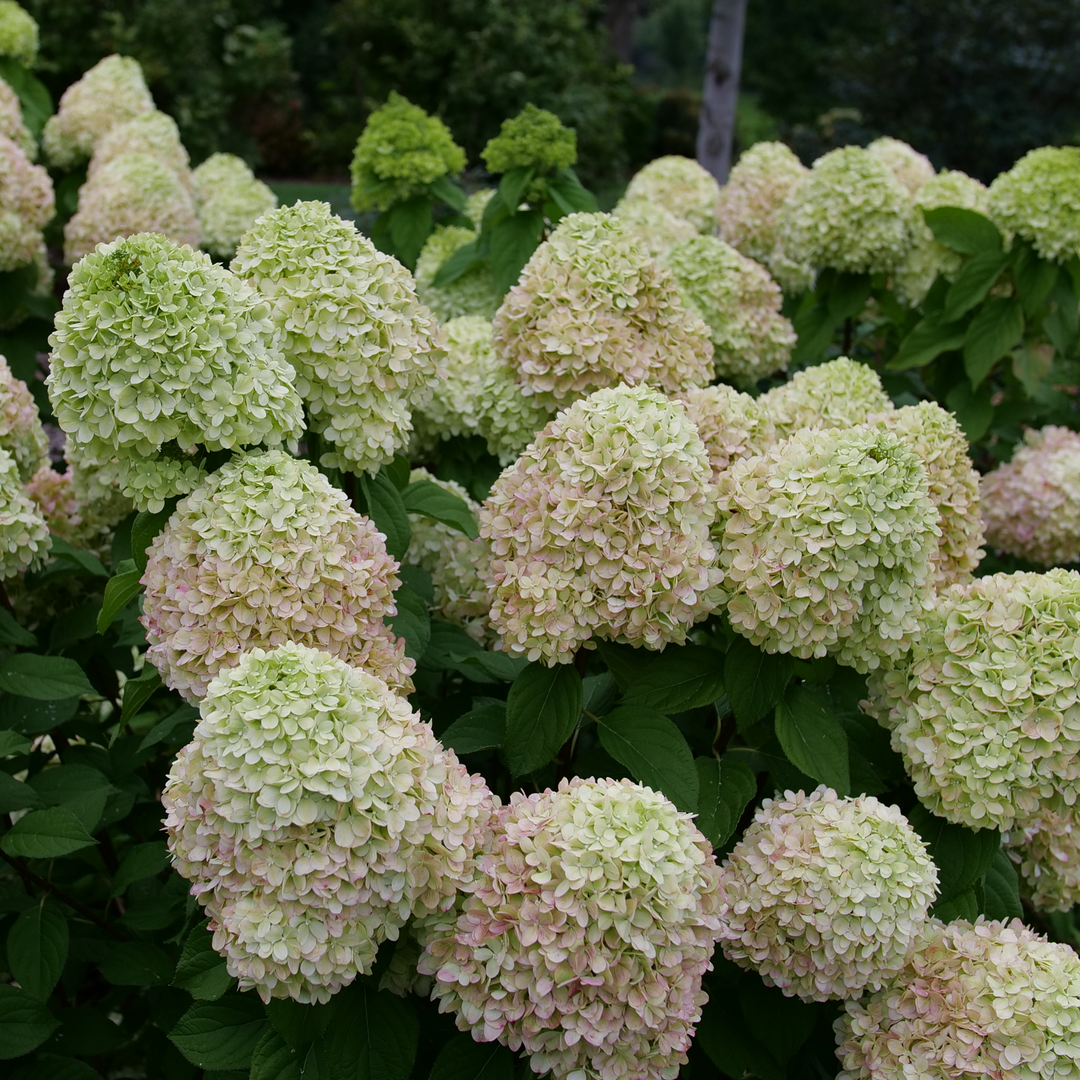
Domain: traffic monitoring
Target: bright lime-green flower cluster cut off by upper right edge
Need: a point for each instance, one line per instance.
(1039, 200)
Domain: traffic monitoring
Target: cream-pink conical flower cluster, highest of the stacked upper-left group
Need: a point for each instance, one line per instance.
(111, 93)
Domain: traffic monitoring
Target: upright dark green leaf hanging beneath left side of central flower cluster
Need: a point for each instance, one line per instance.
(543, 710)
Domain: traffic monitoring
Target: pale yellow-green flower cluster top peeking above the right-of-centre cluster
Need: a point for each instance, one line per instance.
(838, 395)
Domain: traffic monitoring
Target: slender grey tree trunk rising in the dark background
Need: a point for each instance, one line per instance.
(717, 130)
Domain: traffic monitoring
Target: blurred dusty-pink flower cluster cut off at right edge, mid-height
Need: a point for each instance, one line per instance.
(1032, 504)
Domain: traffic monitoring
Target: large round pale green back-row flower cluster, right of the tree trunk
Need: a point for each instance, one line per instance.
(850, 214)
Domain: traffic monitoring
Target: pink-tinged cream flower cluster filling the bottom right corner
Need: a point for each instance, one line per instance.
(990, 1000)
